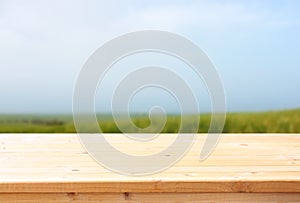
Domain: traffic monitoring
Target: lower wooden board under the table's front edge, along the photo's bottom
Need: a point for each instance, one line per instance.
(150, 197)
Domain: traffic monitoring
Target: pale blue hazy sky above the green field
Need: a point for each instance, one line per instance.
(254, 45)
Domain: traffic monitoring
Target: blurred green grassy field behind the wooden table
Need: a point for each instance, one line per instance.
(287, 121)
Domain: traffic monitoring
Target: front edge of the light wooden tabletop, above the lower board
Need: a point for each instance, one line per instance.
(161, 186)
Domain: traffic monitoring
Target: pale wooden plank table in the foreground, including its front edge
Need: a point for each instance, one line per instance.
(243, 168)
